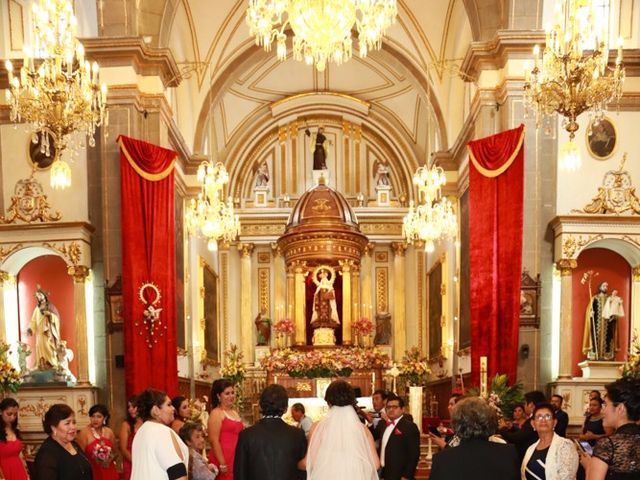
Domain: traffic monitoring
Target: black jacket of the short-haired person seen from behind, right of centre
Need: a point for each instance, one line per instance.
(476, 459)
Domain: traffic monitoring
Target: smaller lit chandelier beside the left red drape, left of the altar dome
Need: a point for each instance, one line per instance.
(209, 212)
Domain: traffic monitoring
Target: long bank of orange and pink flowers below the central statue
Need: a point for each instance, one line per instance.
(340, 362)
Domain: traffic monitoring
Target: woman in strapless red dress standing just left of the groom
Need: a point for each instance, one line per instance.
(224, 427)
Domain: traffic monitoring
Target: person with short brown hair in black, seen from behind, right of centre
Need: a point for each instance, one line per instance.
(474, 421)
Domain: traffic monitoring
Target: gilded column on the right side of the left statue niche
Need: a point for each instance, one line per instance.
(80, 274)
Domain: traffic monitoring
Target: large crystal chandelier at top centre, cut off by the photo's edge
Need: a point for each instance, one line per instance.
(321, 29)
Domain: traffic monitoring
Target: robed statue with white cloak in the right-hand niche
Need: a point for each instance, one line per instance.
(601, 324)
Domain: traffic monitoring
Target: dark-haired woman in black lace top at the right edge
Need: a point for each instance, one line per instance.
(618, 457)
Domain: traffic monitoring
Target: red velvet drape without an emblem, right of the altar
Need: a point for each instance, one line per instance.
(496, 176)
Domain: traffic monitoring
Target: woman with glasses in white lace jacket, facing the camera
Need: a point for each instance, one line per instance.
(551, 457)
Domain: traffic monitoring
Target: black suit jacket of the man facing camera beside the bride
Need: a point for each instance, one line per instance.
(402, 451)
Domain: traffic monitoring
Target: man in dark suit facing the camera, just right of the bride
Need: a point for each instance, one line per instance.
(399, 442)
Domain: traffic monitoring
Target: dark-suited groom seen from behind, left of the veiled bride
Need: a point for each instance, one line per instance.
(271, 449)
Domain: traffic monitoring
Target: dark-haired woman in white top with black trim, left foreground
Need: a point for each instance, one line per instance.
(157, 452)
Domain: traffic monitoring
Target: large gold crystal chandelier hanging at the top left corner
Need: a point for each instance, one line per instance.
(57, 90)
